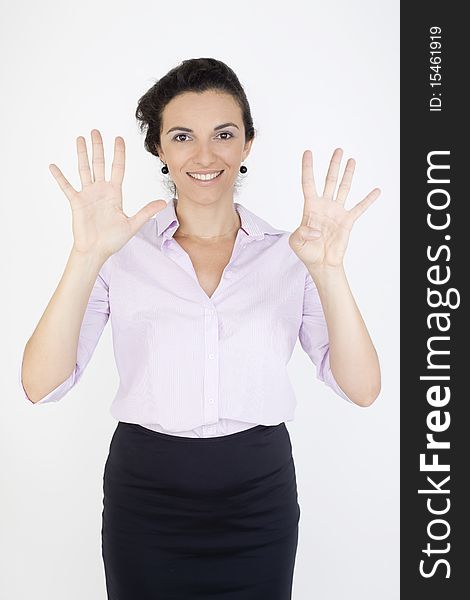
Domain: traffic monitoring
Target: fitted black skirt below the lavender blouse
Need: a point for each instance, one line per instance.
(199, 517)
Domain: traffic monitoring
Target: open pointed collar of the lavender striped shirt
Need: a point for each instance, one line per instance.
(253, 226)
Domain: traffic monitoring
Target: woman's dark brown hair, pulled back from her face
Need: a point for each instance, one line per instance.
(191, 75)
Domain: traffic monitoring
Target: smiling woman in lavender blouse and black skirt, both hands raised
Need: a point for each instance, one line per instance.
(206, 301)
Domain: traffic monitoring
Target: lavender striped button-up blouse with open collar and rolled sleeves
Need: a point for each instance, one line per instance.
(195, 366)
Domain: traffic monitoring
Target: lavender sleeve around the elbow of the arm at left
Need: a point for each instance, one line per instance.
(94, 320)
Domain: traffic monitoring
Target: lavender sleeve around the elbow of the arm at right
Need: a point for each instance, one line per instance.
(313, 336)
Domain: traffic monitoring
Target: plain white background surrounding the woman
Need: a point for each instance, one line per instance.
(317, 75)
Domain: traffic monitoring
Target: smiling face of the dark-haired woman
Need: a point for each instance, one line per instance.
(192, 141)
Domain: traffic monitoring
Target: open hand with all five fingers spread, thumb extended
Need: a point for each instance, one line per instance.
(100, 227)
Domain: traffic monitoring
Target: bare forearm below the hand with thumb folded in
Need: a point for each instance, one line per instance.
(353, 359)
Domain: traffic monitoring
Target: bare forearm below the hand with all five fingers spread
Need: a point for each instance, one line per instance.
(51, 352)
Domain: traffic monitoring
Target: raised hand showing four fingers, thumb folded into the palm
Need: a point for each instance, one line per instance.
(326, 216)
